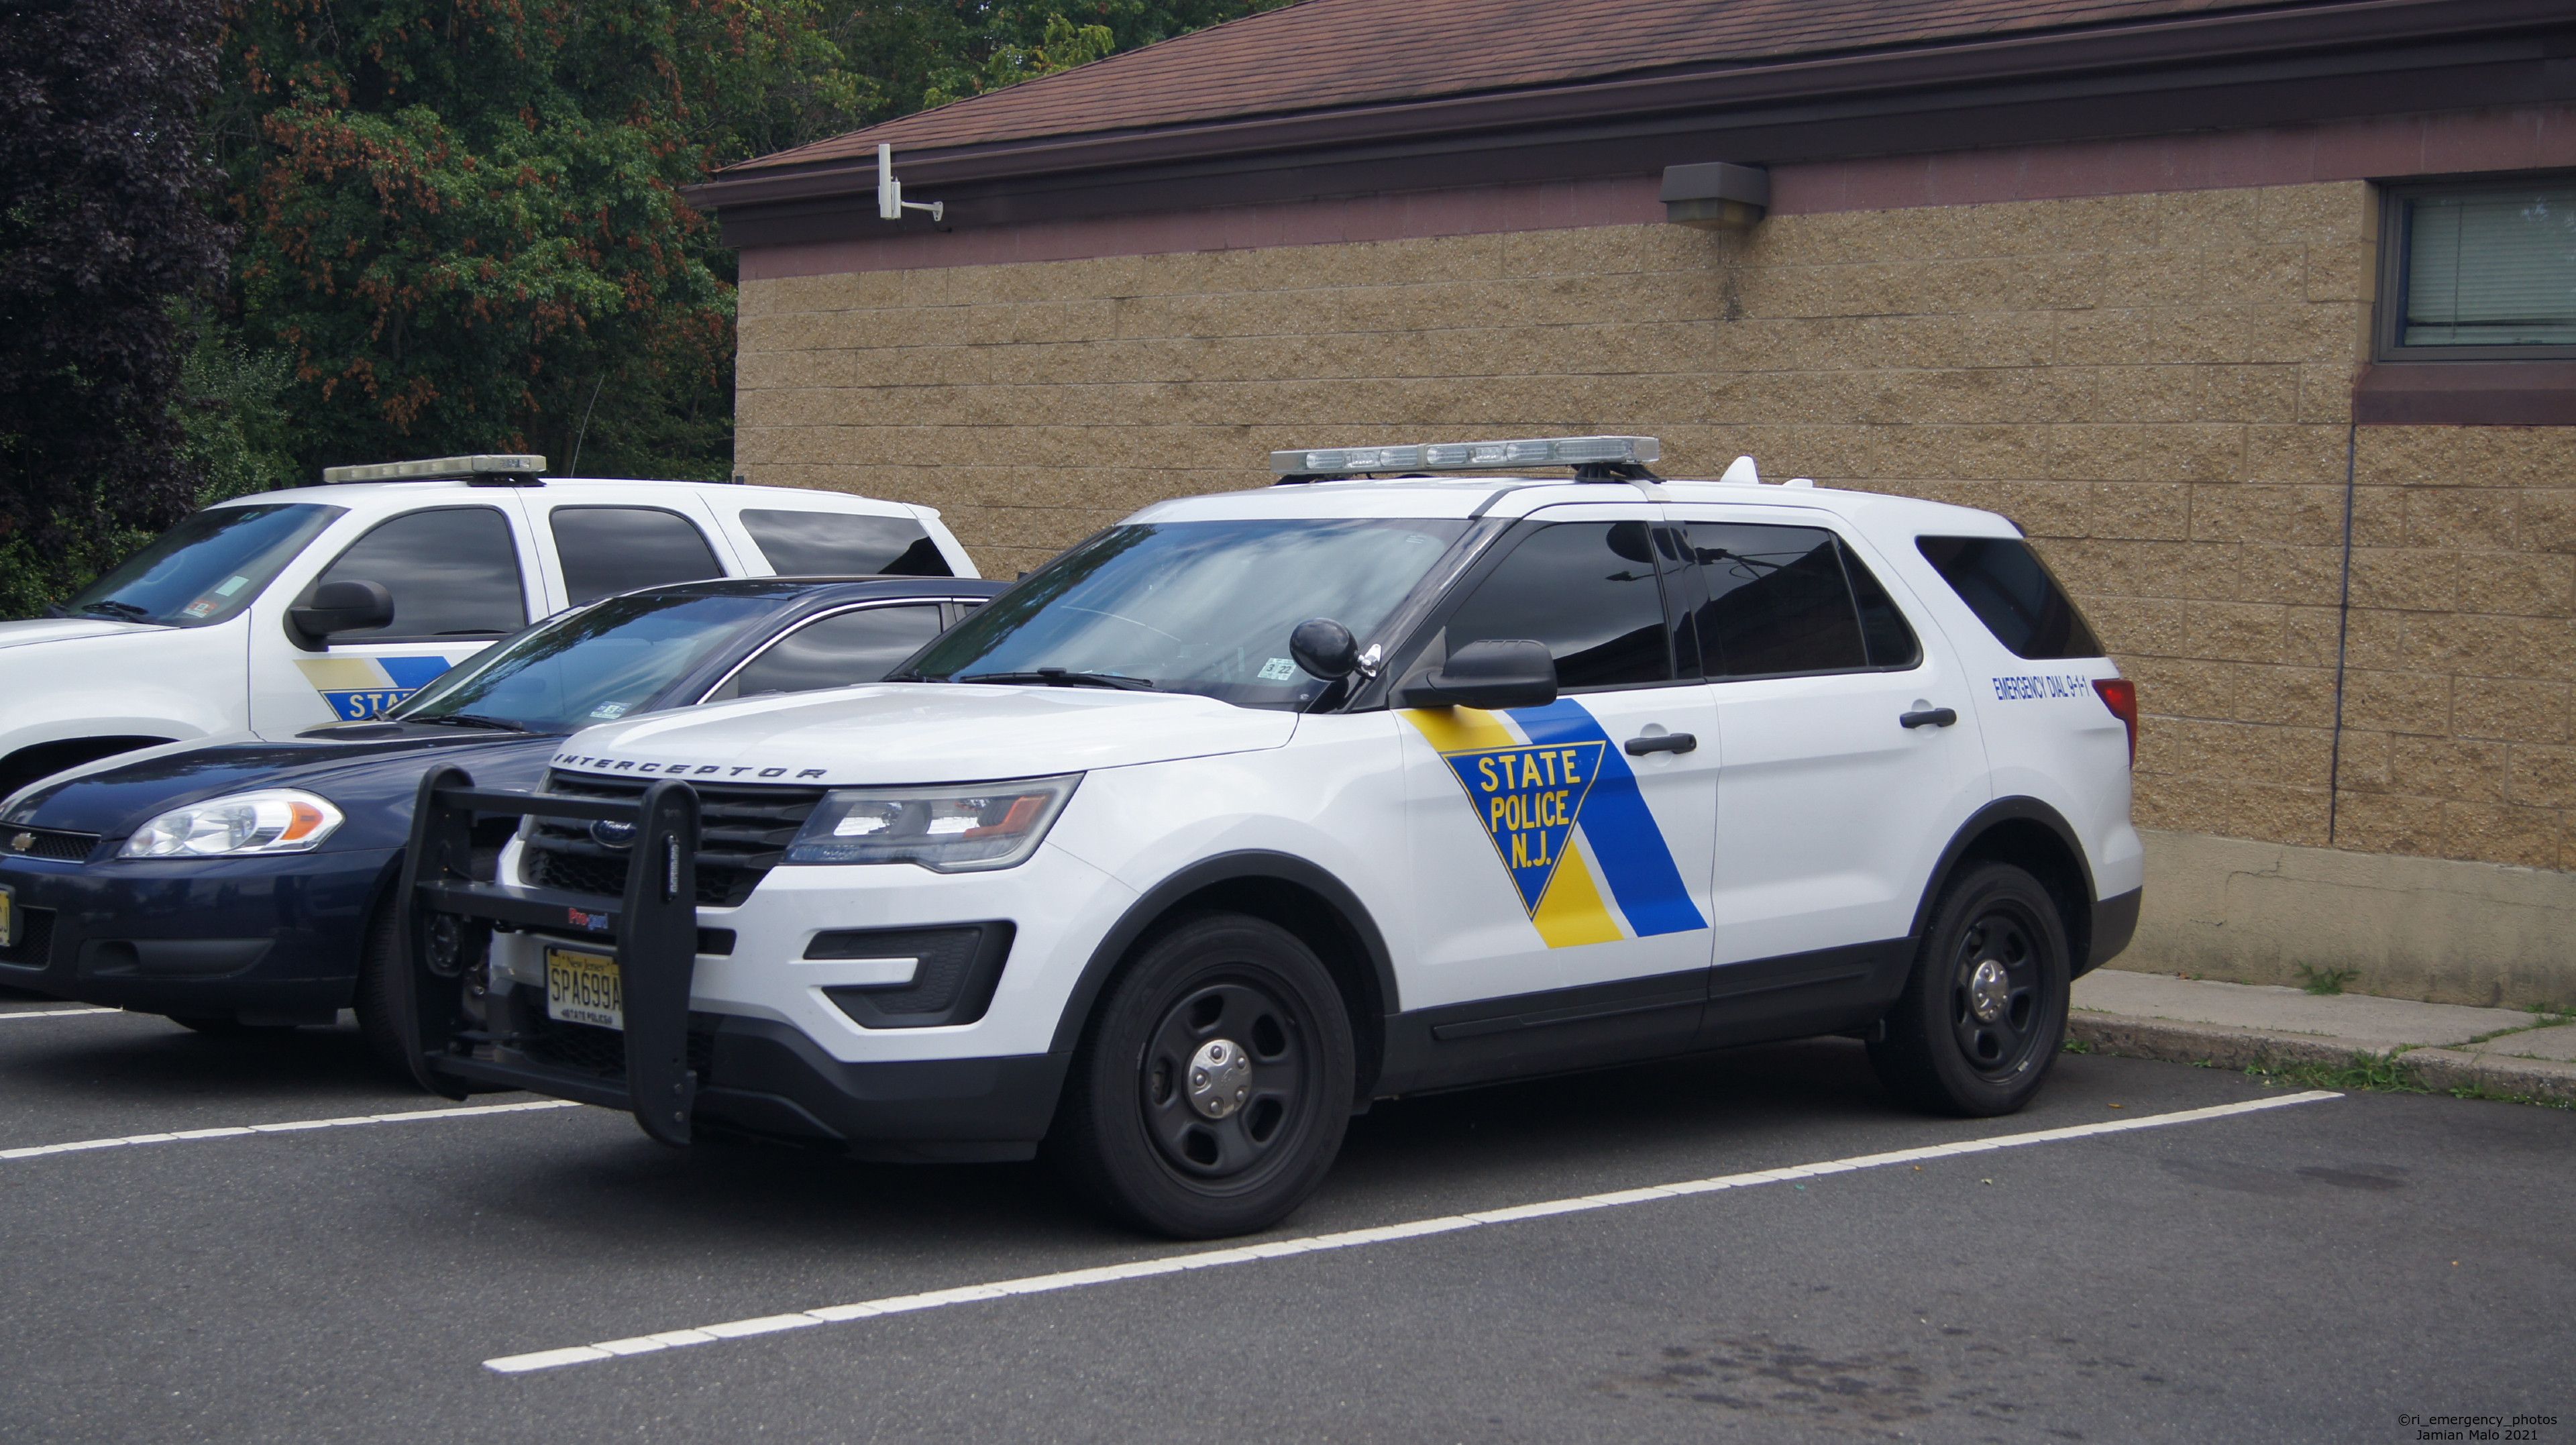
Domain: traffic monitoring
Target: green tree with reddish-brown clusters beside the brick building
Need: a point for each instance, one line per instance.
(462, 220)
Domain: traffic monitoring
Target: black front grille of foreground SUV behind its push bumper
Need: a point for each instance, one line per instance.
(743, 833)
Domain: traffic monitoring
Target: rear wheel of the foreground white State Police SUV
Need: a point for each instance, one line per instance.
(1985, 1011)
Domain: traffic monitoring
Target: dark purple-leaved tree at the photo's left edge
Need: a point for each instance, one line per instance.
(102, 225)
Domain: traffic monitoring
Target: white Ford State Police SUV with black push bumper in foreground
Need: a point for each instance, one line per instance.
(1266, 805)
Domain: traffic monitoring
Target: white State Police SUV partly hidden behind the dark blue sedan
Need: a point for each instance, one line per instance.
(269, 614)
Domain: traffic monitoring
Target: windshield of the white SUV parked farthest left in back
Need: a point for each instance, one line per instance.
(207, 568)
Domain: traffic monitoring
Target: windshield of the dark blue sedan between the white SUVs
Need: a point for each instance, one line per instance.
(594, 666)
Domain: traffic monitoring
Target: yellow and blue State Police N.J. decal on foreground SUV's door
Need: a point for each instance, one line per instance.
(1567, 820)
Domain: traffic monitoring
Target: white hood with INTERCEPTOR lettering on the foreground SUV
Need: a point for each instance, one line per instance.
(923, 733)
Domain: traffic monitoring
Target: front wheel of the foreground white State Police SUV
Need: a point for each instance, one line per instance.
(1222, 1014)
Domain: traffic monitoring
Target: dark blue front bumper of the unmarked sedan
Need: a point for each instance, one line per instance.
(259, 939)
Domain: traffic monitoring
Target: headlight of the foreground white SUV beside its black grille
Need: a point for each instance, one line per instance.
(949, 828)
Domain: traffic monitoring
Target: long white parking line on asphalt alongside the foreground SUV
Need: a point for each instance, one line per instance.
(1346, 1240)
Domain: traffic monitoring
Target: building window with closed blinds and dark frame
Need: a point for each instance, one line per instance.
(2482, 272)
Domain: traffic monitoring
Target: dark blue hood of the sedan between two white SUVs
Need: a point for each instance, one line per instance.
(362, 777)
